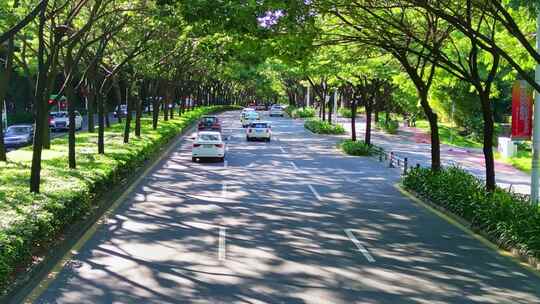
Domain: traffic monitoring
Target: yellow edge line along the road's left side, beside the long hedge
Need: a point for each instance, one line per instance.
(59, 266)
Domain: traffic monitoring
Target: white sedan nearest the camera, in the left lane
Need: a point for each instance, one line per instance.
(208, 145)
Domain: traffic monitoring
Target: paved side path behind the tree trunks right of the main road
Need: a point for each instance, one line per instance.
(414, 144)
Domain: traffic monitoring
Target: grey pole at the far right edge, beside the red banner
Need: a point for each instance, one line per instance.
(535, 176)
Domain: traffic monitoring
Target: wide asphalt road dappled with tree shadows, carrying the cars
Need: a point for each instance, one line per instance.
(291, 221)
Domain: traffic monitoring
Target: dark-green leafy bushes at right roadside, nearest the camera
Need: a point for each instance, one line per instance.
(506, 218)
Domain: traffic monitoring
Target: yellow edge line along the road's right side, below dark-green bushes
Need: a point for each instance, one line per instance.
(507, 254)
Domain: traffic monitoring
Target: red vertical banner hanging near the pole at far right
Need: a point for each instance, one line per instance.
(522, 101)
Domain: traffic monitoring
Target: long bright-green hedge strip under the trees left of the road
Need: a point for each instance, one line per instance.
(29, 222)
